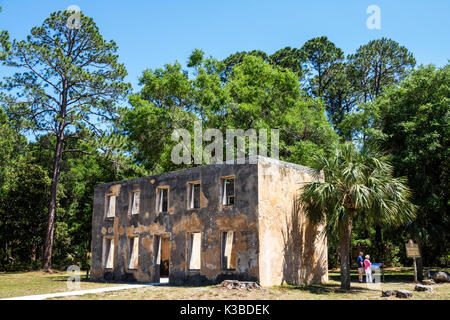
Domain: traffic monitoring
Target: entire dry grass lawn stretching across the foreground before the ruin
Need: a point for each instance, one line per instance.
(28, 283)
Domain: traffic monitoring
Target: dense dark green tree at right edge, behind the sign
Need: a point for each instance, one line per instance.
(412, 122)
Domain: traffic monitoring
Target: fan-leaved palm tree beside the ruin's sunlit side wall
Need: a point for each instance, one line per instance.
(355, 182)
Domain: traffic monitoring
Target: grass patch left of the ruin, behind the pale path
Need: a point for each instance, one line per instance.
(14, 284)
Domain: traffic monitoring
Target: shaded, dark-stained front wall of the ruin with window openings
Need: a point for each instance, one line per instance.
(211, 219)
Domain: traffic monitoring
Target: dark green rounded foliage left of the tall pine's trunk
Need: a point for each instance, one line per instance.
(23, 213)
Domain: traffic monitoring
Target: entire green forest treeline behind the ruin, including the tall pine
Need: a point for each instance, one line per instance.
(69, 121)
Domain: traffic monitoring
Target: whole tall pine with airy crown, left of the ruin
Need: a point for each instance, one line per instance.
(68, 80)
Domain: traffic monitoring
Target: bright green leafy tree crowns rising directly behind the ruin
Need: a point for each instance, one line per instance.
(255, 95)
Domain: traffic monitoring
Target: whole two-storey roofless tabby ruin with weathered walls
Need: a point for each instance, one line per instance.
(207, 224)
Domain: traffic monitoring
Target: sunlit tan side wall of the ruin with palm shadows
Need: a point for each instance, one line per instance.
(291, 249)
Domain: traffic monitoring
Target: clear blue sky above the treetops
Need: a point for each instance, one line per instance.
(152, 33)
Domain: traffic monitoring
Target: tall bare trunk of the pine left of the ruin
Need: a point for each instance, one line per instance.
(48, 246)
